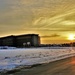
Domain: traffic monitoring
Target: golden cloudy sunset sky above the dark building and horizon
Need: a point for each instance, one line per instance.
(53, 20)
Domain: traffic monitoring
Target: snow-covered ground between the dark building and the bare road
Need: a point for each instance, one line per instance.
(12, 58)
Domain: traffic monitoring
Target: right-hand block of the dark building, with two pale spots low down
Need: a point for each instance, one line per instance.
(28, 40)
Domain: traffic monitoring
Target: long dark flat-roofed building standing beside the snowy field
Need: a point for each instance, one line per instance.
(20, 40)
